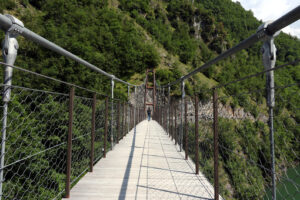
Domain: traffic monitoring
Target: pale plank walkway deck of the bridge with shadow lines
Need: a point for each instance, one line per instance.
(145, 165)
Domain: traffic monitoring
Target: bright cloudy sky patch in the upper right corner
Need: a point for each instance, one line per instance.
(273, 9)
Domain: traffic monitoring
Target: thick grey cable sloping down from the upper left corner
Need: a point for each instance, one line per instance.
(6, 24)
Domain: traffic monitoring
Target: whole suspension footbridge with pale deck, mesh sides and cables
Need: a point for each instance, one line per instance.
(95, 146)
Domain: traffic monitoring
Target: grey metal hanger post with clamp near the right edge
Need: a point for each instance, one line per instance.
(269, 60)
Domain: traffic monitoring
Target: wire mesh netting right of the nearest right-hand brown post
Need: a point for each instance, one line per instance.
(245, 144)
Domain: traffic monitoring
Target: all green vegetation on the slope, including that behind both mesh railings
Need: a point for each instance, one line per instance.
(124, 38)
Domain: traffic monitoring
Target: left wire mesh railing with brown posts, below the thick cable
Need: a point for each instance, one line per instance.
(36, 144)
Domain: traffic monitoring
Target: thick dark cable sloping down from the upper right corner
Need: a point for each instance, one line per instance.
(271, 29)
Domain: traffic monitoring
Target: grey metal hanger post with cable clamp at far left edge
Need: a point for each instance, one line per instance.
(9, 51)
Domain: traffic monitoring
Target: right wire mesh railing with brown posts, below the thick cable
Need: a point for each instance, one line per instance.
(236, 139)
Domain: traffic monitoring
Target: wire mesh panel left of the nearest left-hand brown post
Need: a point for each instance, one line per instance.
(35, 156)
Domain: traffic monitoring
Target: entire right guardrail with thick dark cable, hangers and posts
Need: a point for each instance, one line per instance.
(169, 119)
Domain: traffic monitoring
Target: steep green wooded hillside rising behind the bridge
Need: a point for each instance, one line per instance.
(125, 37)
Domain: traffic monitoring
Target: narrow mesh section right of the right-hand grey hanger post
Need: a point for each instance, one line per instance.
(287, 149)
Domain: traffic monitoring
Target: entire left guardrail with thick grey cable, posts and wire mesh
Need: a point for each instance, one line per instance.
(33, 101)
